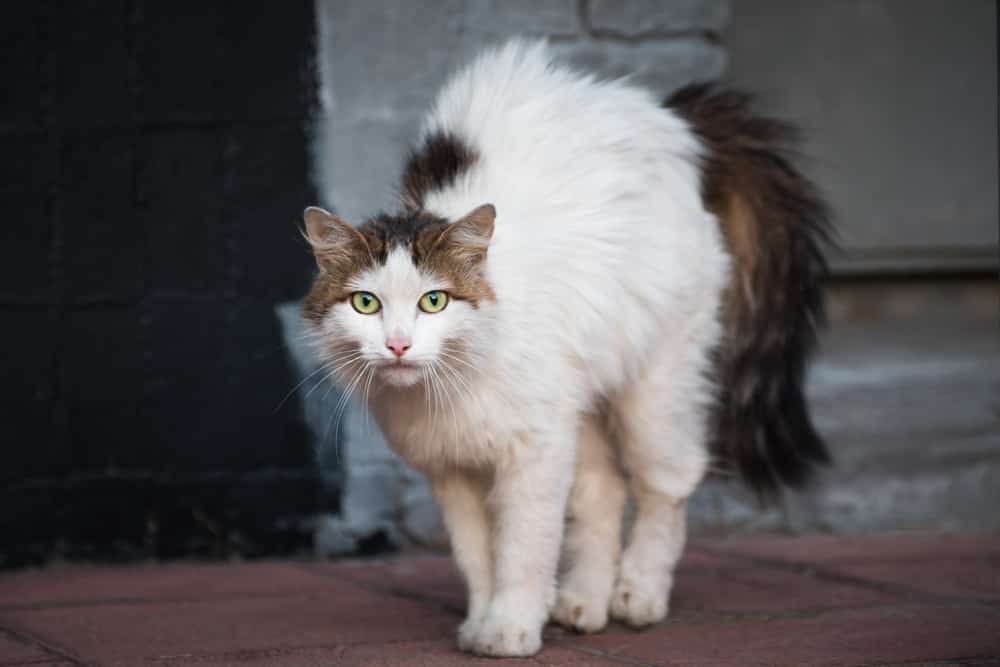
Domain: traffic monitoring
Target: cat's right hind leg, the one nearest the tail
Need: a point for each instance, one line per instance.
(663, 423)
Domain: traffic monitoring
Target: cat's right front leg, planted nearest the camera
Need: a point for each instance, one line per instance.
(528, 503)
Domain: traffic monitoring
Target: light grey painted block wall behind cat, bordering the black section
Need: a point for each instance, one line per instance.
(381, 62)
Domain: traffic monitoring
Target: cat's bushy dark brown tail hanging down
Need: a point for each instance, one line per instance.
(775, 226)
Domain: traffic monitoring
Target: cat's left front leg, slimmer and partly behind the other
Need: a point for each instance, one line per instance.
(462, 498)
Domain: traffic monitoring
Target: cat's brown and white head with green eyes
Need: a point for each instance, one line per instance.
(399, 296)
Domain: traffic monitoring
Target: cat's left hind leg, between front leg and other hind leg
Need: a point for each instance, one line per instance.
(593, 533)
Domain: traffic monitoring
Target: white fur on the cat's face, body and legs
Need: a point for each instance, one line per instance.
(607, 272)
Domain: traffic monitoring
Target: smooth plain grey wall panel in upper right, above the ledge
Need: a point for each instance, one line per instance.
(899, 102)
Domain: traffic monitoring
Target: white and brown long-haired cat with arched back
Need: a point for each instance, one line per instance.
(585, 294)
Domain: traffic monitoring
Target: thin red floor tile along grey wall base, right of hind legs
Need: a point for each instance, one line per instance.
(833, 549)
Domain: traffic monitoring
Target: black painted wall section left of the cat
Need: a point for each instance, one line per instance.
(154, 161)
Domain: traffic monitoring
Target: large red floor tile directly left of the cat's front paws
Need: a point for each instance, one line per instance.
(122, 633)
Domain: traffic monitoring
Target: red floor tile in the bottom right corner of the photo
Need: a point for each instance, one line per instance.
(890, 635)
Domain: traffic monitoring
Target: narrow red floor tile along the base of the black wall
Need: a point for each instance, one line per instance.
(72, 584)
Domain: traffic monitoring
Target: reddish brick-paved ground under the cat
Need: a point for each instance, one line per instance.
(917, 599)
